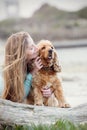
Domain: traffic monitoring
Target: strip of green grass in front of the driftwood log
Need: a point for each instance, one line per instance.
(59, 125)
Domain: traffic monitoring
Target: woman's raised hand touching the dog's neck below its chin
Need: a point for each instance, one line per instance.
(37, 65)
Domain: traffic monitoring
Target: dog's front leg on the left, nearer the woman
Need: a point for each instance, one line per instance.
(38, 97)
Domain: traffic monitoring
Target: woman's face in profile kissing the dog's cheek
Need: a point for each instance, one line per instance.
(31, 50)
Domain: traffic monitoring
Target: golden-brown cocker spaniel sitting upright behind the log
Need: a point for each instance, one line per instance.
(47, 76)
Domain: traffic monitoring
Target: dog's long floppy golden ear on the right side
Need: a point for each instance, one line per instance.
(56, 66)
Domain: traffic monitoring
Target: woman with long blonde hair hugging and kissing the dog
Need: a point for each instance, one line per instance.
(19, 51)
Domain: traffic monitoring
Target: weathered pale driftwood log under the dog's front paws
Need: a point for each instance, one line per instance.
(20, 114)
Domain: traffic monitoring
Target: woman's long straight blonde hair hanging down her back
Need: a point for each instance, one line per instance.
(15, 66)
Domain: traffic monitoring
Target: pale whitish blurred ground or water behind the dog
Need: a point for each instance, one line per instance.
(74, 74)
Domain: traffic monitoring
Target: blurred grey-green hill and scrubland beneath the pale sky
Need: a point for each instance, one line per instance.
(45, 22)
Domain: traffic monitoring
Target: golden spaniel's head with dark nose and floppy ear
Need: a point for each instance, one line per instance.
(48, 55)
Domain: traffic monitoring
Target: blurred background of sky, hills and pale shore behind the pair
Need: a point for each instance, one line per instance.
(64, 22)
